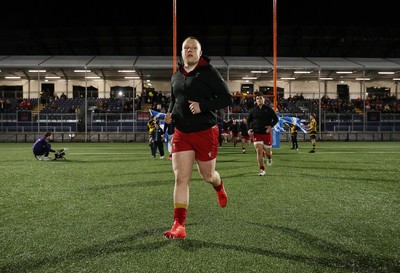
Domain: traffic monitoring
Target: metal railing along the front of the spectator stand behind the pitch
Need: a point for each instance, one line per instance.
(137, 122)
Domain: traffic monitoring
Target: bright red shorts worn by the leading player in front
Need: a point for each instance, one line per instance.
(203, 143)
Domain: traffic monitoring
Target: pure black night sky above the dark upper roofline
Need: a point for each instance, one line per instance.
(305, 12)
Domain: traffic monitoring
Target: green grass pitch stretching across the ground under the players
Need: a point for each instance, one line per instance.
(106, 207)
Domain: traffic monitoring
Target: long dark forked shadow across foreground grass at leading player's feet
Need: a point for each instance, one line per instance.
(342, 258)
